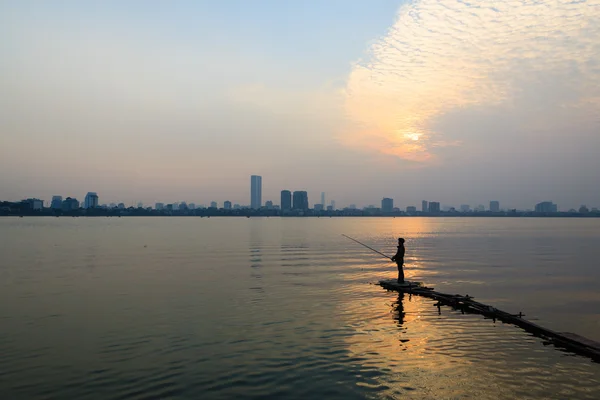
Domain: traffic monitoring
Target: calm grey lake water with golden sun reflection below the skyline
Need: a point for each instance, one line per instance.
(239, 308)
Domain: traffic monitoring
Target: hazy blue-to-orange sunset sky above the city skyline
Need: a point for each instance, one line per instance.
(454, 101)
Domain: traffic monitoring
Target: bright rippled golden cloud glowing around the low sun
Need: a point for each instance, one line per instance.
(536, 62)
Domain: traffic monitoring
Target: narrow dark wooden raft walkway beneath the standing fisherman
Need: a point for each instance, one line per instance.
(566, 340)
